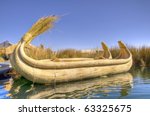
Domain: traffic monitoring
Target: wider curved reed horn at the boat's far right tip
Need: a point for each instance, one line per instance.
(124, 51)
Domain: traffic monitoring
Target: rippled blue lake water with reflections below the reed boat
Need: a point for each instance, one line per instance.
(132, 85)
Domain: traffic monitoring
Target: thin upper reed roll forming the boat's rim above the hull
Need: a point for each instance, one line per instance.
(65, 65)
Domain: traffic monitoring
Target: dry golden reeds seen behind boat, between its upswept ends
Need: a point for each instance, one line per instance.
(43, 53)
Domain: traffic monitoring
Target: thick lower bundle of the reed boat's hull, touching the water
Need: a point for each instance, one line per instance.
(38, 75)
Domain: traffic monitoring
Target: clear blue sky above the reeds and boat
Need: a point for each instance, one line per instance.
(83, 23)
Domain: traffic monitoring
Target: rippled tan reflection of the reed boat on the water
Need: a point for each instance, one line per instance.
(80, 89)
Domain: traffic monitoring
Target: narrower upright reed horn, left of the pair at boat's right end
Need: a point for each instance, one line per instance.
(107, 53)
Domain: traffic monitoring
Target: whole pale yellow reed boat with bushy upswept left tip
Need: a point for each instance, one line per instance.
(64, 70)
